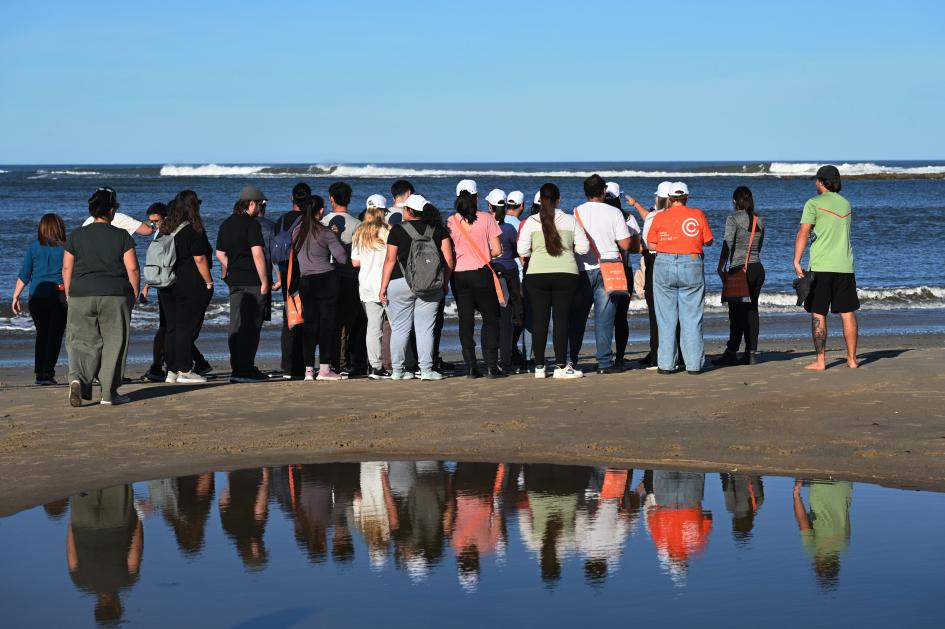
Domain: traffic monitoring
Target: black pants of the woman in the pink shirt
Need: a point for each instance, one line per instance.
(475, 290)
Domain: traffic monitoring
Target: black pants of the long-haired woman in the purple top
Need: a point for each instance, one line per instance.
(319, 302)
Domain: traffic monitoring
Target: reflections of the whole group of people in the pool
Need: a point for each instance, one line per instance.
(414, 515)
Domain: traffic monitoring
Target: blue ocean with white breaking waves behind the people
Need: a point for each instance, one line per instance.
(899, 217)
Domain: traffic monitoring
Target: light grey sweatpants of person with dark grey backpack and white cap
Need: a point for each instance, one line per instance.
(407, 311)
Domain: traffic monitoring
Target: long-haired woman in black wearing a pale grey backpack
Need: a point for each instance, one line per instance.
(185, 301)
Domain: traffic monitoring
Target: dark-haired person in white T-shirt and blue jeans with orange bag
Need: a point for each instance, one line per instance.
(607, 232)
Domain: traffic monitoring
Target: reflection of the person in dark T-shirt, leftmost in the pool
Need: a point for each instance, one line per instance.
(104, 546)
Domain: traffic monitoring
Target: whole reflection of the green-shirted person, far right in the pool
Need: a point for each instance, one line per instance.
(825, 529)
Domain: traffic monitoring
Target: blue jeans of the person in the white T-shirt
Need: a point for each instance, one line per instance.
(591, 291)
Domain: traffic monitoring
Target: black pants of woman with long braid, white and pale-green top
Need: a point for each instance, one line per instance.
(550, 296)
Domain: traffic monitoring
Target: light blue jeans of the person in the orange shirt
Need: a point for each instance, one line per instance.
(679, 296)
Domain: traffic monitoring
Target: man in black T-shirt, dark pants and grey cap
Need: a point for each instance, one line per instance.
(243, 267)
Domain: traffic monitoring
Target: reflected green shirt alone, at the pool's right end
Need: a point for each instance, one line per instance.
(830, 518)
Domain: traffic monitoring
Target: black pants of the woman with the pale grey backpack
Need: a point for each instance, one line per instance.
(184, 310)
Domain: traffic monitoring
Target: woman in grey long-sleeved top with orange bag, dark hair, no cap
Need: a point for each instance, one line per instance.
(743, 229)
